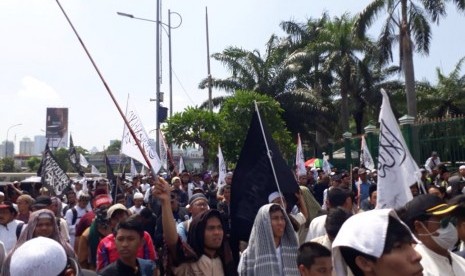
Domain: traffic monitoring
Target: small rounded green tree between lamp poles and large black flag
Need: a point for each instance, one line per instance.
(195, 126)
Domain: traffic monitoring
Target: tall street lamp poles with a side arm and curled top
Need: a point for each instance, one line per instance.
(159, 23)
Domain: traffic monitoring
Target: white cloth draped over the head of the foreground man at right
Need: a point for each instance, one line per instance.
(369, 239)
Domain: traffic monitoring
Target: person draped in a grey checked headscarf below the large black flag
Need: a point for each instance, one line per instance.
(272, 246)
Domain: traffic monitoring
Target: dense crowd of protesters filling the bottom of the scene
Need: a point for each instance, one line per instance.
(181, 225)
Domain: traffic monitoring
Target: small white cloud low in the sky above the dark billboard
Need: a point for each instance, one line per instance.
(33, 88)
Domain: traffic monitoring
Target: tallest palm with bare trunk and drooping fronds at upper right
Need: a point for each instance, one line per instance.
(412, 20)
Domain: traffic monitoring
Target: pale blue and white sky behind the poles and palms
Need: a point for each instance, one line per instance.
(42, 64)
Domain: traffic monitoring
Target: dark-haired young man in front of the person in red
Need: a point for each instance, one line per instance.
(129, 237)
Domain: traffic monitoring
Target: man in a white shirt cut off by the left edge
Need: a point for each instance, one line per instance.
(9, 226)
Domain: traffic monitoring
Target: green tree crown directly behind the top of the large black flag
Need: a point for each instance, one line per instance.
(237, 112)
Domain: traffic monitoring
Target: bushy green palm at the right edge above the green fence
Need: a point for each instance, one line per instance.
(446, 97)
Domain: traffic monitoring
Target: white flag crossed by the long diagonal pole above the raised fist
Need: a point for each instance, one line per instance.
(129, 146)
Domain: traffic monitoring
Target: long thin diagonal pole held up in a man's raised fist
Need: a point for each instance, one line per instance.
(109, 91)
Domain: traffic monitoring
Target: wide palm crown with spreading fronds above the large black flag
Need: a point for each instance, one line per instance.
(269, 75)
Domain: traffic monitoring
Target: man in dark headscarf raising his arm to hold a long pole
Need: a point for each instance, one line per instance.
(206, 251)
